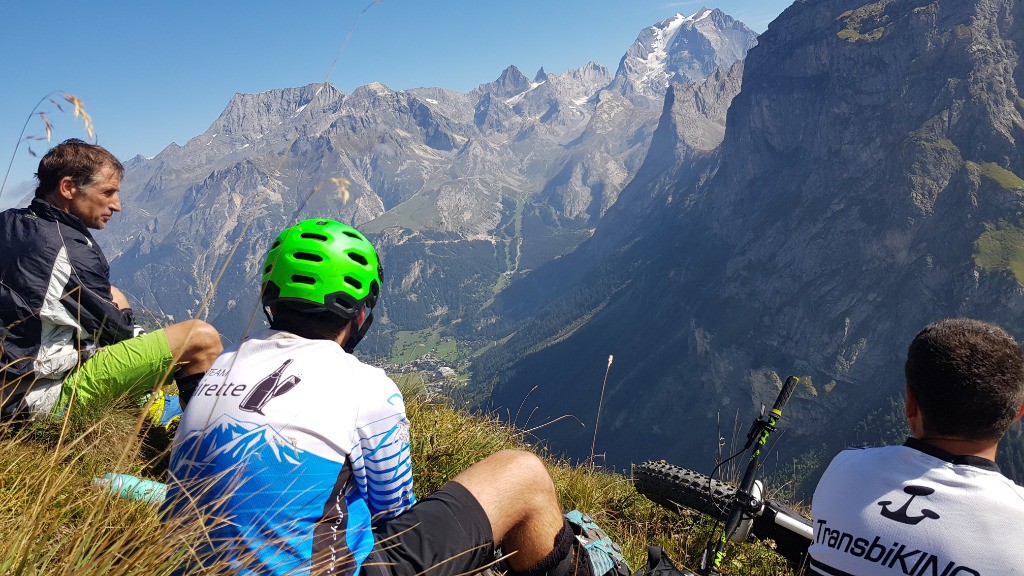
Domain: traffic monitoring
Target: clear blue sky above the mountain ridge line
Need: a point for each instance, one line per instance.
(150, 73)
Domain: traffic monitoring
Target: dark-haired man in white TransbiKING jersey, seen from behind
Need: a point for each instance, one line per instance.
(937, 505)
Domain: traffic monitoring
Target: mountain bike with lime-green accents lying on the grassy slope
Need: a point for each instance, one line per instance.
(743, 511)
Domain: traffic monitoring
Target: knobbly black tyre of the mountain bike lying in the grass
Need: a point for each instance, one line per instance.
(675, 488)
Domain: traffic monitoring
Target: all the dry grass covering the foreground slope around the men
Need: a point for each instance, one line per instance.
(54, 521)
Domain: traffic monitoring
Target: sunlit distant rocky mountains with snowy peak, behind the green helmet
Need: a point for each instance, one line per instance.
(461, 192)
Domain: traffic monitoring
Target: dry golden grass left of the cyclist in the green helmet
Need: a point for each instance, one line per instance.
(54, 522)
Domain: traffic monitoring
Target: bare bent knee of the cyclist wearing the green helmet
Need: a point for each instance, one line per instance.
(519, 497)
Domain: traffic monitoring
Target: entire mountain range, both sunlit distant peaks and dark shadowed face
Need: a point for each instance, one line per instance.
(714, 223)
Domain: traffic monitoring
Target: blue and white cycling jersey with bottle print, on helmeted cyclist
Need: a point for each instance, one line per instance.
(295, 447)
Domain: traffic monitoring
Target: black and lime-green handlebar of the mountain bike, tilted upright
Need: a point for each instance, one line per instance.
(745, 503)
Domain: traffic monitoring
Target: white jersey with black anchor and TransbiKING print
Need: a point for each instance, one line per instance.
(915, 510)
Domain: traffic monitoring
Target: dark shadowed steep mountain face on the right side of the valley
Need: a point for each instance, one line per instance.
(869, 183)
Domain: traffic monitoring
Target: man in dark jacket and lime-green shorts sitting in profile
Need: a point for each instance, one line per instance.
(67, 335)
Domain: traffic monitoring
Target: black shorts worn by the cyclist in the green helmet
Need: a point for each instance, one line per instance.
(445, 534)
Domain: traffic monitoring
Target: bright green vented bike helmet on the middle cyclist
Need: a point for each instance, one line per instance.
(325, 264)
